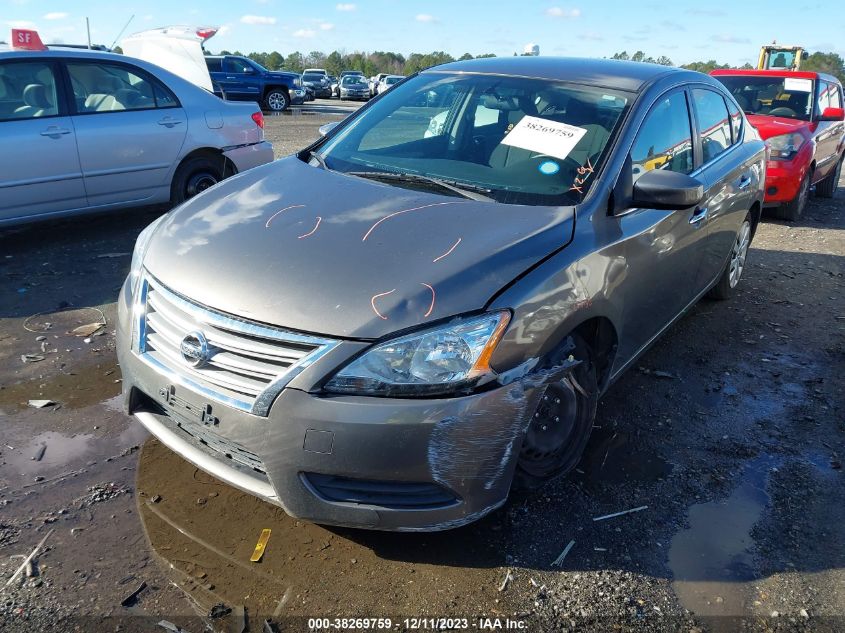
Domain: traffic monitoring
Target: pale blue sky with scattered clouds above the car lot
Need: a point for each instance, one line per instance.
(730, 31)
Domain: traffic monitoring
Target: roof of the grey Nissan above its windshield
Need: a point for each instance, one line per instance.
(622, 75)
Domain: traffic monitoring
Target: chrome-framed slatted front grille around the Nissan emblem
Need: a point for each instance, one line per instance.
(246, 364)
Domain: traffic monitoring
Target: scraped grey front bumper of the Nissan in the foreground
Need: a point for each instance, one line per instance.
(465, 447)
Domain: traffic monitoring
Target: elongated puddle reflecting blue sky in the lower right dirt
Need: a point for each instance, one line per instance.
(712, 560)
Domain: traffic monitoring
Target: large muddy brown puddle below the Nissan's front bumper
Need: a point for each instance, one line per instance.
(204, 533)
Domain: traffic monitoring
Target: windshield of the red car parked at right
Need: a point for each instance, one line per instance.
(790, 97)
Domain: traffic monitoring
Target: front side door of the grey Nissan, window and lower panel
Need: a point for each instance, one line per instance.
(663, 254)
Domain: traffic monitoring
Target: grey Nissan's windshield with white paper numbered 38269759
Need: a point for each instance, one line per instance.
(522, 141)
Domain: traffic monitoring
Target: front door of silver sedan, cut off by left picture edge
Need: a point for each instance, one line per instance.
(40, 166)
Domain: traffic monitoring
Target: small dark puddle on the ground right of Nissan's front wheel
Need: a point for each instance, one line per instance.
(610, 459)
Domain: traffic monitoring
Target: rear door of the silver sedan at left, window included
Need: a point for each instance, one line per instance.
(130, 129)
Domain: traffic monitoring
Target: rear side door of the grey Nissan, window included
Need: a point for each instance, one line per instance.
(729, 173)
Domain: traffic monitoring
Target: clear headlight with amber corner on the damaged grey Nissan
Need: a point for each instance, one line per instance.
(437, 361)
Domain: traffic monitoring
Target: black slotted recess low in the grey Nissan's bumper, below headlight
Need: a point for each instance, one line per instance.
(402, 495)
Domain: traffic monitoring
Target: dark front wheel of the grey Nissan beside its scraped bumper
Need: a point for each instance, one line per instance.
(561, 425)
